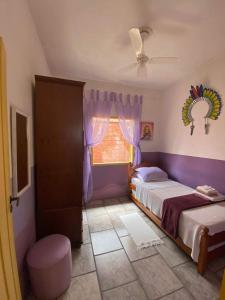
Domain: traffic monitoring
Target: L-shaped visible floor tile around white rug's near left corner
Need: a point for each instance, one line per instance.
(132, 251)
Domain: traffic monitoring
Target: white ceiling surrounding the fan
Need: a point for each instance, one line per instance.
(88, 39)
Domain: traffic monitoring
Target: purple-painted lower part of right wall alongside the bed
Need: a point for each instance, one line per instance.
(194, 171)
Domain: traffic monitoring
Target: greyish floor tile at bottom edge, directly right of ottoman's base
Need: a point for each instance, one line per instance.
(83, 287)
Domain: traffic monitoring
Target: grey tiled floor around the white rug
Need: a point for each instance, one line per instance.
(108, 266)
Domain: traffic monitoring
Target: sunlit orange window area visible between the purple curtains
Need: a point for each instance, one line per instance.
(114, 149)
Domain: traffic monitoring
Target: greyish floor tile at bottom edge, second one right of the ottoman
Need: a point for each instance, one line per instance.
(130, 291)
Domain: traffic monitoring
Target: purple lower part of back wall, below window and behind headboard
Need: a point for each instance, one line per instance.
(111, 181)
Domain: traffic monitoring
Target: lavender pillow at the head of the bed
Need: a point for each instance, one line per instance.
(151, 174)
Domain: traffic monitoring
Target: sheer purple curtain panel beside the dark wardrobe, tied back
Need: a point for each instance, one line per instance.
(97, 111)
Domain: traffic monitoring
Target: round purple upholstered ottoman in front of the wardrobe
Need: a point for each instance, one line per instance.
(50, 266)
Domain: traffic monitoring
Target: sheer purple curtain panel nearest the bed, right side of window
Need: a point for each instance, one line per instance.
(129, 114)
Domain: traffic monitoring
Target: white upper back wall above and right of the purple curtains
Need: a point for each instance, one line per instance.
(150, 109)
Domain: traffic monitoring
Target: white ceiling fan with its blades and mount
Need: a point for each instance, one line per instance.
(137, 36)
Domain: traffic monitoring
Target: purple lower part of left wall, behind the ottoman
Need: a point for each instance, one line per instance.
(24, 230)
